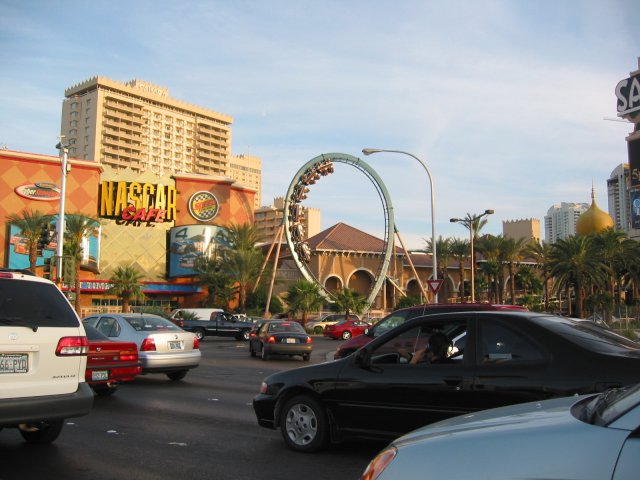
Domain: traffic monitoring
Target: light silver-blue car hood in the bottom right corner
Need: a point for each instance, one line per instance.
(581, 437)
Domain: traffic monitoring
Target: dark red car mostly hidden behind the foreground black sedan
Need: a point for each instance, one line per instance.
(400, 316)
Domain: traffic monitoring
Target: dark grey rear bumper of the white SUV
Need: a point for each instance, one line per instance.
(14, 411)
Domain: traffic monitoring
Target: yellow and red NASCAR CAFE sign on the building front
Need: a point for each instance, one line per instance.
(138, 202)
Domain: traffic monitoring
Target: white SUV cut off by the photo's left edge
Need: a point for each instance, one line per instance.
(43, 357)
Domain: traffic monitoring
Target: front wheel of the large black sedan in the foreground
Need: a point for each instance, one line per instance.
(304, 424)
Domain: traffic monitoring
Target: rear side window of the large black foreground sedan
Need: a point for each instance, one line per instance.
(500, 344)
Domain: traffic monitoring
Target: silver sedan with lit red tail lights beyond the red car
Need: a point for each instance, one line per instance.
(163, 347)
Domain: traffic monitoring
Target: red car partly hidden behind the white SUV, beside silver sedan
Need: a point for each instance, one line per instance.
(109, 363)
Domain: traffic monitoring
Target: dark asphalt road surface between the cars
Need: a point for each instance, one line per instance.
(202, 427)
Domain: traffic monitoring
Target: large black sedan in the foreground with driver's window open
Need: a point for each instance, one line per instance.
(494, 359)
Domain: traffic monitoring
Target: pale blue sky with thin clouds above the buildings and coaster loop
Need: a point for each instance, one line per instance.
(509, 104)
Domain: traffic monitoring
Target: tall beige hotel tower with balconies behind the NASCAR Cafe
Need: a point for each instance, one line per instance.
(137, 125)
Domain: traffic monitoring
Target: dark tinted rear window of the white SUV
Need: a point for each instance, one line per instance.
(47, 307)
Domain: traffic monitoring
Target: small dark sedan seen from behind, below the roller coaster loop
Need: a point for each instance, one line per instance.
(282, 338)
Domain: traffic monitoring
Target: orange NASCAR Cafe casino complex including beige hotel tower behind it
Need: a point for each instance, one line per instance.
(156, 172)
